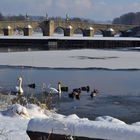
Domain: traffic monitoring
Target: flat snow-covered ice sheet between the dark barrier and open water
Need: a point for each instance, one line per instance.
(85, 58)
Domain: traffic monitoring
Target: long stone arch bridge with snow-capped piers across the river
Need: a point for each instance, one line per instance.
(48, 27)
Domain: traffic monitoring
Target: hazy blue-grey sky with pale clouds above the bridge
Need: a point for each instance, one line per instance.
(92, 9)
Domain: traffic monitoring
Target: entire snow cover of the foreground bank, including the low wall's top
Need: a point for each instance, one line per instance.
(14, 121)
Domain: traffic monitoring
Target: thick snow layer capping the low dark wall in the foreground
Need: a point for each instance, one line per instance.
(106, 128)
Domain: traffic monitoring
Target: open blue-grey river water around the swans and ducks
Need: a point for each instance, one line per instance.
(119, 90)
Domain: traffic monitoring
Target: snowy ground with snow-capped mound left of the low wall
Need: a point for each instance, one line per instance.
(14, 121)
